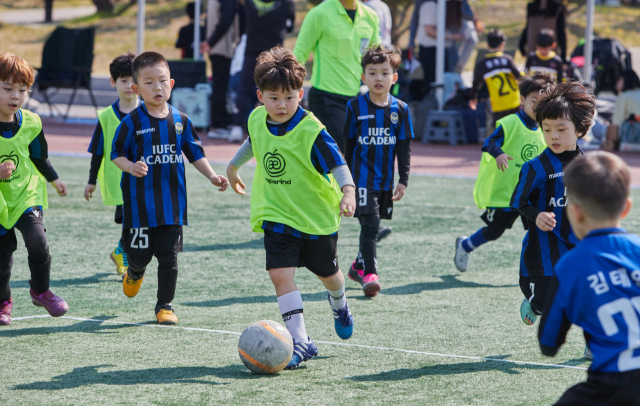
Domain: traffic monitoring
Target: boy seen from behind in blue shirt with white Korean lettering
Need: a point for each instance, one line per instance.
(597, 285)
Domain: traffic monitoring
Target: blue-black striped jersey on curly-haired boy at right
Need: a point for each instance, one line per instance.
(541, 188)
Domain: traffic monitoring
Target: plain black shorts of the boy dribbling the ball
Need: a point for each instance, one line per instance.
(320, 255)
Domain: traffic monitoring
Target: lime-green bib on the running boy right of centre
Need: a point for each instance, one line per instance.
(493, 187)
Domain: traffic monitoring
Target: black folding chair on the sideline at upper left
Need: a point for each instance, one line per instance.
(67, 58)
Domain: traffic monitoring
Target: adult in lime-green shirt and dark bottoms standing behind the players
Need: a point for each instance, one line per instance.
(337, 32)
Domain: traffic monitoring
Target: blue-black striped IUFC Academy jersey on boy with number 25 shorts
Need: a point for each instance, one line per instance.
(160, 197)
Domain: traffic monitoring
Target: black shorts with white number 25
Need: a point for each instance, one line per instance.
(141, 244)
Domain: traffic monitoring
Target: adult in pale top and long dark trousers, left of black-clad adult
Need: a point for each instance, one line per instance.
(223, 34)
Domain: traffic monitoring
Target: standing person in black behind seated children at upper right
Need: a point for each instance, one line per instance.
(544, 14)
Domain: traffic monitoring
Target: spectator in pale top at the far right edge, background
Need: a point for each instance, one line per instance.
(627, 104)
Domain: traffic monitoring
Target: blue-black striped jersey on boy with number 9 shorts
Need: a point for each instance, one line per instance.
(375, 136)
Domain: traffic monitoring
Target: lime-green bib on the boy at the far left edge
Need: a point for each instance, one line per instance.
(26, 187)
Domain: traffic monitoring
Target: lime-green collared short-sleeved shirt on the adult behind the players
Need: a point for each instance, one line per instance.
(337, 44)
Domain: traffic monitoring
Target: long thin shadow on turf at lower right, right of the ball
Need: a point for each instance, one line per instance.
(451, 369)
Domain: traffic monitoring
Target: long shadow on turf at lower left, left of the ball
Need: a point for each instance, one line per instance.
(90, 375)
